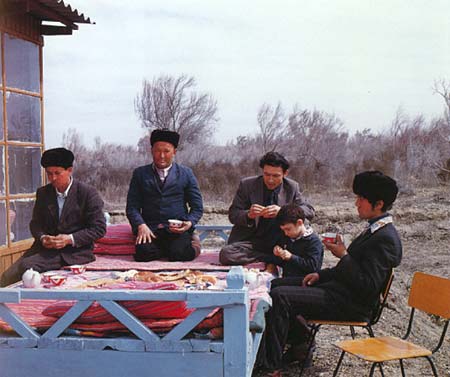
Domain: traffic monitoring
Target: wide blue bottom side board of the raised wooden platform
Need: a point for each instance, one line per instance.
(57, 363)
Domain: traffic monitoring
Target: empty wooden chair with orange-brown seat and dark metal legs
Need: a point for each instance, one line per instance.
(430, 294)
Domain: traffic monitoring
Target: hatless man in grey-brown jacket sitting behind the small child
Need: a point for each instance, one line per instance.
(254, 210)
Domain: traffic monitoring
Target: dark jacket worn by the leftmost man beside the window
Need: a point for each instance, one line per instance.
(82, 216)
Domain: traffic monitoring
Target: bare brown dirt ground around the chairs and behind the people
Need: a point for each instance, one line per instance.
(423, 221)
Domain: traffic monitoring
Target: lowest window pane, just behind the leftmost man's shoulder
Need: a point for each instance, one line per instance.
(21, 210)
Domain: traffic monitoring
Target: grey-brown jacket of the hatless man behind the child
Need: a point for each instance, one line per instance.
(251, 191)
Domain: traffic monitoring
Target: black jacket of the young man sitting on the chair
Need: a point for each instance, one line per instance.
(356, 281)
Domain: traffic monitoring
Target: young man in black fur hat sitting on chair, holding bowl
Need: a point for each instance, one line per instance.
(348, 291)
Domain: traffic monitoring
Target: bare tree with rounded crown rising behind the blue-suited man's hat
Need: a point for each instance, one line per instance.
(173, 103)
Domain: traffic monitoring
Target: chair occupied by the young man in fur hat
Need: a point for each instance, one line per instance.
(316, 324)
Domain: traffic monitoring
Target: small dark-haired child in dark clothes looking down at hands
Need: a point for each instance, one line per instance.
(299, 251)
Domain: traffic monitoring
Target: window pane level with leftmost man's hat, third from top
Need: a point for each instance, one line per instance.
(24, 169)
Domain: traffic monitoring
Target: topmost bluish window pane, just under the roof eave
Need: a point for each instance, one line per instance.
(21, 64)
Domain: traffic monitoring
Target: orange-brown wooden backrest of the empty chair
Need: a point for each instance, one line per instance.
(430, 294)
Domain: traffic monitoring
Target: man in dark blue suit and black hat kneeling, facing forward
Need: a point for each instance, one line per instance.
(161, 191)
